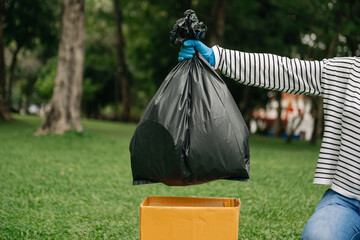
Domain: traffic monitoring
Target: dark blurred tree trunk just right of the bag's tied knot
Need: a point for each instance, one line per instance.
(217, 22)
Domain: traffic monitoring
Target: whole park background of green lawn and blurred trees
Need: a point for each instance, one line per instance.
(97, 63)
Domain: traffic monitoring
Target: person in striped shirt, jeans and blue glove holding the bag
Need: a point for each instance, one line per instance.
(337, 80)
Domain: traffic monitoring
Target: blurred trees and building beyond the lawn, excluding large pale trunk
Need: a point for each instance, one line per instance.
(127, 54)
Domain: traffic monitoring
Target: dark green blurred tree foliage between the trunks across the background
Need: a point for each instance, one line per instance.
(304, 29)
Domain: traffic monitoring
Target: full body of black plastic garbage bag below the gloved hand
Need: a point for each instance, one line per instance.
(191, 132)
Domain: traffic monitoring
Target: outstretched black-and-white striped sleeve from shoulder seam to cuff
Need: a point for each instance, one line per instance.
(270, 71)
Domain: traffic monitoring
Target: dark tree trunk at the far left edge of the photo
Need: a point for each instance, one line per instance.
(3, 113)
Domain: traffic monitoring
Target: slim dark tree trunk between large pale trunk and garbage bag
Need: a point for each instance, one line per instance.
(121, 69)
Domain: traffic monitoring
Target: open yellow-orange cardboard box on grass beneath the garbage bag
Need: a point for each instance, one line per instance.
(175, 218)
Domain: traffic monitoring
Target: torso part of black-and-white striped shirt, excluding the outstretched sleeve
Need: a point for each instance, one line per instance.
(339, 158)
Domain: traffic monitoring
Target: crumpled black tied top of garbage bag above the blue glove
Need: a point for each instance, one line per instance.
(187, 28)
